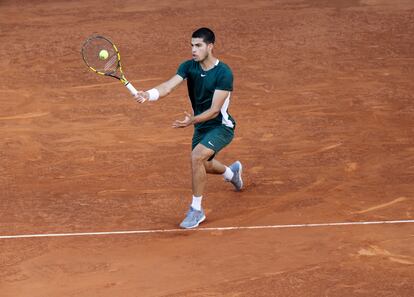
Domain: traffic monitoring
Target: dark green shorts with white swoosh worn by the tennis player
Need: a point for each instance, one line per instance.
(215, 138)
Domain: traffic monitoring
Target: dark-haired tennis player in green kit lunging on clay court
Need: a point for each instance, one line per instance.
(210, 83)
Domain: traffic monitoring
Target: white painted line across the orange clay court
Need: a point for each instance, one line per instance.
(206, 229)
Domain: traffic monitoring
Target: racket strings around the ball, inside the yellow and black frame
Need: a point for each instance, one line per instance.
(91, 54)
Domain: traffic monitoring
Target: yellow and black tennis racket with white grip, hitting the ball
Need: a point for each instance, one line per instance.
(102, 57)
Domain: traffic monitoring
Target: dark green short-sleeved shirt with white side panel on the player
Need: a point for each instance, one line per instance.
(201, 86)
